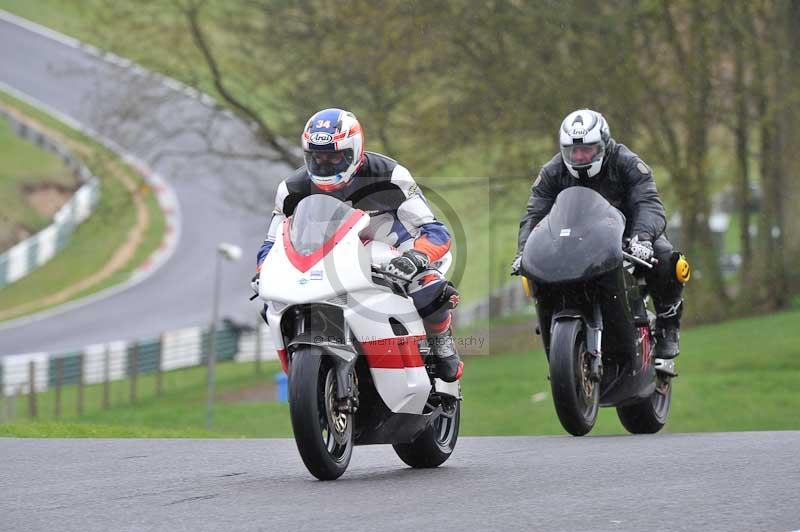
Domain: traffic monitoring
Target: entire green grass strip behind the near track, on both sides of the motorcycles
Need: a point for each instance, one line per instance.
(734, 376)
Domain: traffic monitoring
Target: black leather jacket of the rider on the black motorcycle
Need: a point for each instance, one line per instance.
(625, 181)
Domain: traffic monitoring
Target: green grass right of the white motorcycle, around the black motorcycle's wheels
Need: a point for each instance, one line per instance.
(734, 376)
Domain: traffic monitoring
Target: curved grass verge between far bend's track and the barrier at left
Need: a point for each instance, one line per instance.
(95, 241)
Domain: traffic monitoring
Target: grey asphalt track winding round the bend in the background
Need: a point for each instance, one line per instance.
(167, 128)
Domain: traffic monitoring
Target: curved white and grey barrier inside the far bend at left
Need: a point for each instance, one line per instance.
(31, 253)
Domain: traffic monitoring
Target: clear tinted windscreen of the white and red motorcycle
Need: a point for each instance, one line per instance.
(315, 221)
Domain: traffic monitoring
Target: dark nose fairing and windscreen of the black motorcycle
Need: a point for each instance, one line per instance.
(579, 239)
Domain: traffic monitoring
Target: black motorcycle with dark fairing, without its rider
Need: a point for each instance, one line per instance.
(591, 302)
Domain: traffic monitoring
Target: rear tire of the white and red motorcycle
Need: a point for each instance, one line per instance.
(434, 446)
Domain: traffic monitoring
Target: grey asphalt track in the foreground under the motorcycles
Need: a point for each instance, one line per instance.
(726, 482)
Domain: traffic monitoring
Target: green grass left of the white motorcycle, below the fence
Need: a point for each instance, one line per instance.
(181, 409)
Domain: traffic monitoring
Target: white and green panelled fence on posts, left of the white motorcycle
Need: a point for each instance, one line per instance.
(143, 368)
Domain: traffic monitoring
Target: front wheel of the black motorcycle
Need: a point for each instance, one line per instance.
(576, 398)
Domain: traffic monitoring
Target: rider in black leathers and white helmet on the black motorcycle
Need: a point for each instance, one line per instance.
(591, 158)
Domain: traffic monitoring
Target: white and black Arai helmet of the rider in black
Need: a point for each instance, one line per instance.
(584, 137)
